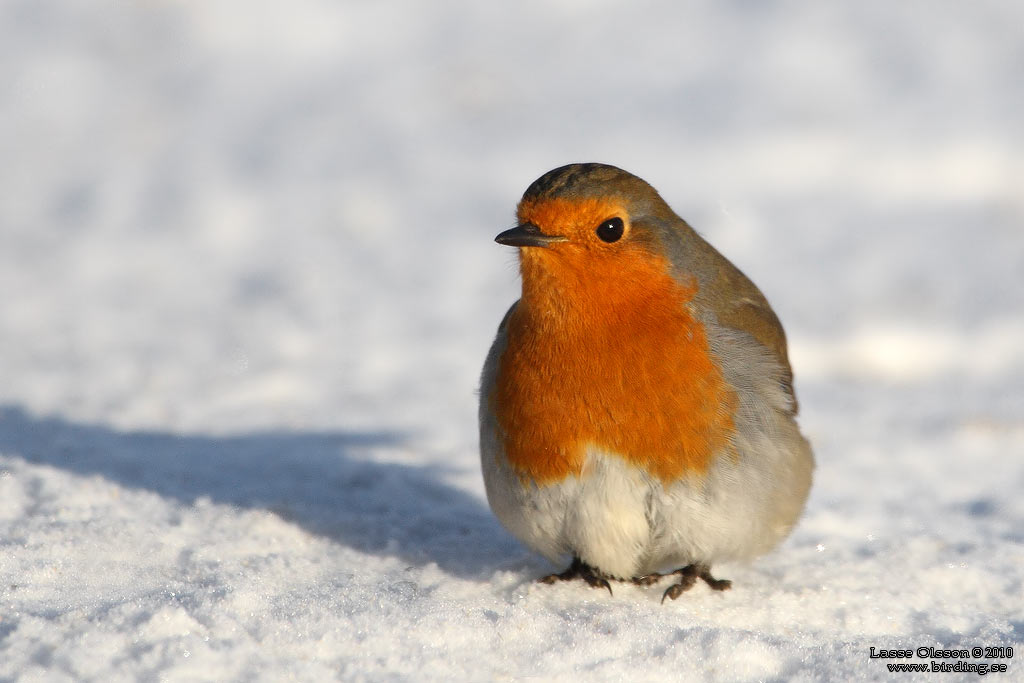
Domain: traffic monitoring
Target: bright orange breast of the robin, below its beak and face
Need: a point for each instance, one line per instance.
(608, 357)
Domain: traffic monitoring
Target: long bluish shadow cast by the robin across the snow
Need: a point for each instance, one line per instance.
(315, 480)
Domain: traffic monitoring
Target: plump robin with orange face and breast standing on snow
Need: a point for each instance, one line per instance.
(637, 411)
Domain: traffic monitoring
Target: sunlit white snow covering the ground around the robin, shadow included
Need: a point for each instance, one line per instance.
(249, 280)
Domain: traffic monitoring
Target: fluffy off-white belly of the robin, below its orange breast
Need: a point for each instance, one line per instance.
(617, 519)
